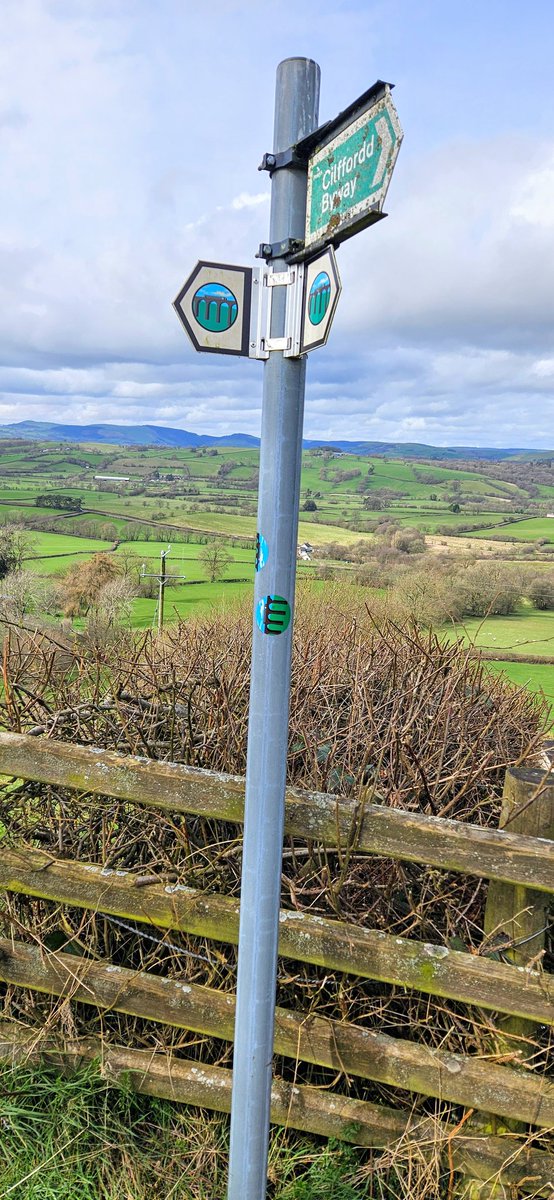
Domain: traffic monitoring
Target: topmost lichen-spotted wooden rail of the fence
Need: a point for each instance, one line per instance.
(374, 829)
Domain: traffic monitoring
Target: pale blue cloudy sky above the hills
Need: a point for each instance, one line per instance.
(131, 133)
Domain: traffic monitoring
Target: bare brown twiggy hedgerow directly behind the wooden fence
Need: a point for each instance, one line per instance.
(389, 712)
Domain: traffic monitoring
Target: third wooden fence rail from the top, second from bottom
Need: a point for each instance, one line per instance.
(340, 1046)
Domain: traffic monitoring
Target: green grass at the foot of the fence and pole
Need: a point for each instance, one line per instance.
(80, 1139)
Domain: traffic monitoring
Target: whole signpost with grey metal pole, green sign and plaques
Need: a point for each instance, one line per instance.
(327, 184)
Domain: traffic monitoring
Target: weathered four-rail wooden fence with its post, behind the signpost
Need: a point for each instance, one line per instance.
(521, 871)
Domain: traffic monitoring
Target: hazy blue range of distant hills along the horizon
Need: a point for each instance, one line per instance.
(162, 436)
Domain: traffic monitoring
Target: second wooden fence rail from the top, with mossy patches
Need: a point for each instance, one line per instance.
(372, 955)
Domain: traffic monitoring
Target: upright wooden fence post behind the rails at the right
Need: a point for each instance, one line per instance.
(520, 916)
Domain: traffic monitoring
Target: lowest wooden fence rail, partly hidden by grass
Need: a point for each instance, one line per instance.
(297, 1107)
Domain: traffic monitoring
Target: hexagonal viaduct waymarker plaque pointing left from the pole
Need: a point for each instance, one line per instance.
(214, 305)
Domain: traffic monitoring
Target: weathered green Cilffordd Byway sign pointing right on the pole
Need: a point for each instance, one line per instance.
(350, 175)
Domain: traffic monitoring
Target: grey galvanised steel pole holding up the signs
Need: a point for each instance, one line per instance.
(282, 418)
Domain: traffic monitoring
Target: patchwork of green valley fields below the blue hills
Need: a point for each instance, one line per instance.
(186, 497)
